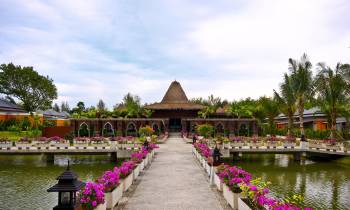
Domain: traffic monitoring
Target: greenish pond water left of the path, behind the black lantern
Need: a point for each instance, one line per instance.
(25, 179)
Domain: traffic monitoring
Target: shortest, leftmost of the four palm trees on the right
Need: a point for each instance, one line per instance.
(270, 108)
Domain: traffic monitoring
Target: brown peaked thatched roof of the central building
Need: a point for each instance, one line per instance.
(175, 98)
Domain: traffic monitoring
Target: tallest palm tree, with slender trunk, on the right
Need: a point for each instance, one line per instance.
(301, 81)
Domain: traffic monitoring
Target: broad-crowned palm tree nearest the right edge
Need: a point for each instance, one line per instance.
(332, 93)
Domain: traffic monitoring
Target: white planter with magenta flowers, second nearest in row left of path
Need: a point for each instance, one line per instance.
(112, 187)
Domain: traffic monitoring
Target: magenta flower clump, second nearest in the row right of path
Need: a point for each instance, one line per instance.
(233, 177)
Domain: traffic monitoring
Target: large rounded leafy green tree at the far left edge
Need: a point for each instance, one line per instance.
(24, 83)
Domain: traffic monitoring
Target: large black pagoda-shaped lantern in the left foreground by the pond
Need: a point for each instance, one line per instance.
(67, 187)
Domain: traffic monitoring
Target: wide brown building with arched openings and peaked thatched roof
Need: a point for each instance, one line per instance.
(175, 113)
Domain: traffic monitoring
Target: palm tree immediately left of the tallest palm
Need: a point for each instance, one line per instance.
(286, 101)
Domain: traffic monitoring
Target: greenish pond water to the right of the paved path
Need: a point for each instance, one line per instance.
(324, 185)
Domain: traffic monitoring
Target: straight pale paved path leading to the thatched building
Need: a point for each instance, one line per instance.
(173, 181)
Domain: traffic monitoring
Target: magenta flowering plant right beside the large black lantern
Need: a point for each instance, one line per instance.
(92, 195)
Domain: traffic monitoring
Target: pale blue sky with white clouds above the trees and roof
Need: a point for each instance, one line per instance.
(103, 49)
